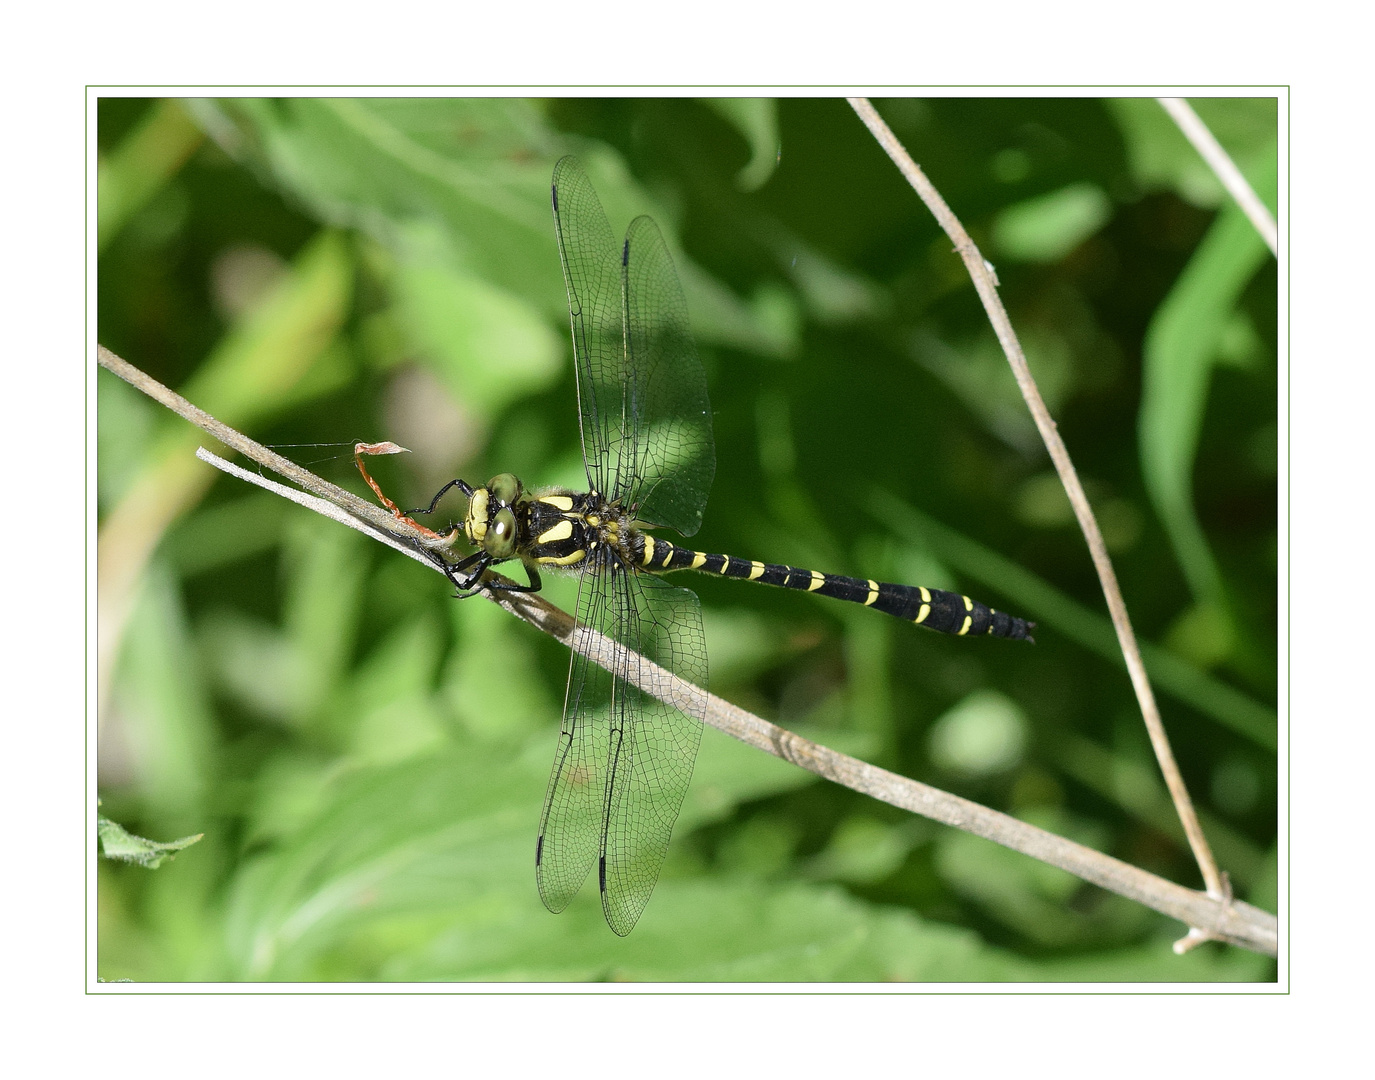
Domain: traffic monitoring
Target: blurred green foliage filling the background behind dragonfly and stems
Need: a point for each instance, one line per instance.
(368, 757)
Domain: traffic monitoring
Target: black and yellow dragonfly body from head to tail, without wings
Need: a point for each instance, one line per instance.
(559, 529)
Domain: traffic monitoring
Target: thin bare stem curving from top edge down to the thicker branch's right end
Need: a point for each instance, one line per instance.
(987, 285)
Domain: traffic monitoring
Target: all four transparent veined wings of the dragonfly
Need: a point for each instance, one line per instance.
(625, 757)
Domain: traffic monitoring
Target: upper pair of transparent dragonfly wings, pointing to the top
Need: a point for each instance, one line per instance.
(641, 389)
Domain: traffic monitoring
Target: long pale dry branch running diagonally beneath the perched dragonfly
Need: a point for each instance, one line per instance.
(1234, 922)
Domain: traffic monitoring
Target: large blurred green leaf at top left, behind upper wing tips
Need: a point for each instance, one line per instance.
(461, 185)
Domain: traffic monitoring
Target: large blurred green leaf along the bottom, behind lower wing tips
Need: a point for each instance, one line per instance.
(424, 872)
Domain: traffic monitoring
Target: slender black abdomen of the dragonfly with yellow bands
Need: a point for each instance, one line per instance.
(934, 609)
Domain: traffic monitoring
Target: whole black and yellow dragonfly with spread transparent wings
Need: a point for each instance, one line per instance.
(625, 755)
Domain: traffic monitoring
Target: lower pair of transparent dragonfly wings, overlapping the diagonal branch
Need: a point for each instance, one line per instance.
(625, 757)
